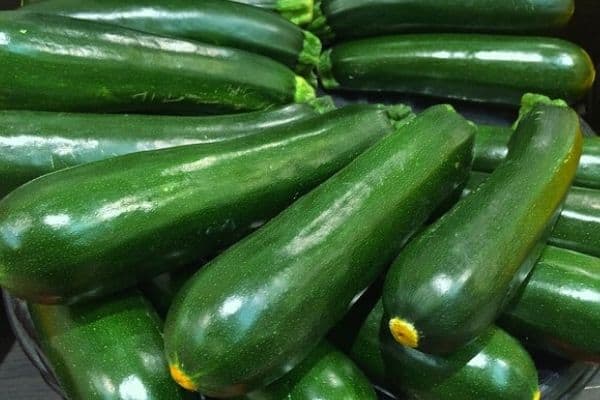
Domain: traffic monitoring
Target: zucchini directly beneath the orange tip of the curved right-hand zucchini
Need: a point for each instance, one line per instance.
(494, 366)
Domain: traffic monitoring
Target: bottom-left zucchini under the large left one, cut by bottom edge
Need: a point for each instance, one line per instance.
(111, 349)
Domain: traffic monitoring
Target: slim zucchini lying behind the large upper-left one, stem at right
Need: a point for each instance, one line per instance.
(222, 23)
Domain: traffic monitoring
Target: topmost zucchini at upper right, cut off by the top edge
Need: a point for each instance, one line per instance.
(343, 19)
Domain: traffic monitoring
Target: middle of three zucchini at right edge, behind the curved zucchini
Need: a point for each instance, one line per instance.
(578, 226)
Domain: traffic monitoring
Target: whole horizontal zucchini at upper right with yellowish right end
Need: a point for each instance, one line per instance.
(481, 68)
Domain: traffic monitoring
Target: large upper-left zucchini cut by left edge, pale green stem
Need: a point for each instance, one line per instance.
(86, 66)
